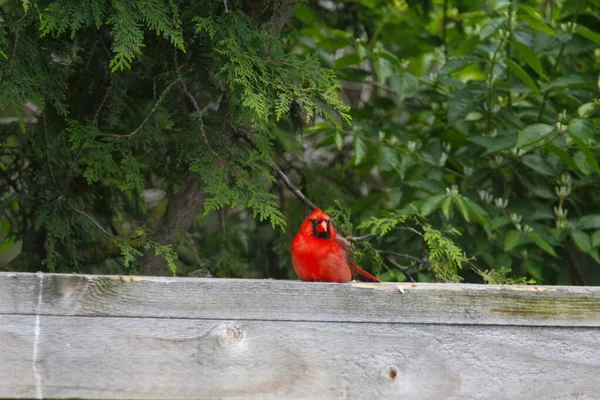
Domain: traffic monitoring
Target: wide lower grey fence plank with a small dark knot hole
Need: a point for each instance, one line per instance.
(128, 358)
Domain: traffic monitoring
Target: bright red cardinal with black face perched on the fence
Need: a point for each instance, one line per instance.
(319, 254)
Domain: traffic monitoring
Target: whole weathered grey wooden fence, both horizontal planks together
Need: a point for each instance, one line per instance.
(76, 336)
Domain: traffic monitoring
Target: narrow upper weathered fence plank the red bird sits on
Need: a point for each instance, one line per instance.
(232, 299)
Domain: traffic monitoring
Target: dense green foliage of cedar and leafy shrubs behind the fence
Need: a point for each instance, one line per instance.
(475, 121)
